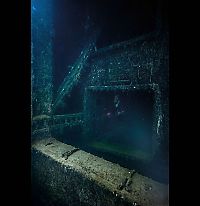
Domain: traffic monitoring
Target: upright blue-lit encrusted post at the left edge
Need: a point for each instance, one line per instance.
(42, 56)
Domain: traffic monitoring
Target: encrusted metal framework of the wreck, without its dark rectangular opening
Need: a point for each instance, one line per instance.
(67, 175)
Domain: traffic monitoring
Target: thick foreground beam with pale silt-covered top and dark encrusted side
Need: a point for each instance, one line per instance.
(69, 176)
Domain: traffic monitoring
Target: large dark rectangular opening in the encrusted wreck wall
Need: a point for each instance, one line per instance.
(121, 121)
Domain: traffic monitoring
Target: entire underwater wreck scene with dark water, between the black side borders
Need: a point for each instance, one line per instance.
(100, 102)
